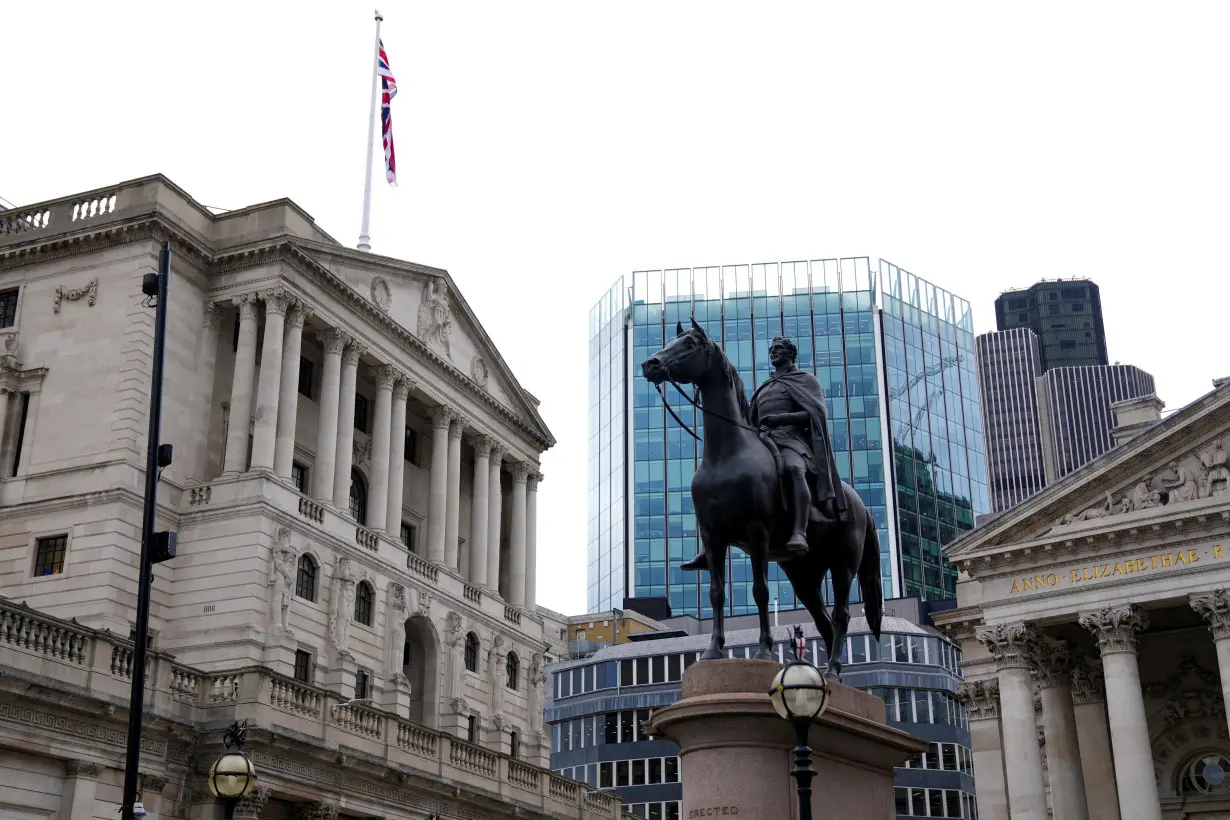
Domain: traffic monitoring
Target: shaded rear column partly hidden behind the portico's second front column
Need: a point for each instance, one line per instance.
(1094, 737)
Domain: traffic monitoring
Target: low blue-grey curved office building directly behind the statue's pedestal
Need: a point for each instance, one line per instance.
(600, 705)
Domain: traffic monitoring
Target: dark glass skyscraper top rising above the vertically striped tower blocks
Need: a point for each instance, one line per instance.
(1066, 317)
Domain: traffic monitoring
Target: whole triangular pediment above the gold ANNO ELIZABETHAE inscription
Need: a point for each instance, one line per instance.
(1178, 465)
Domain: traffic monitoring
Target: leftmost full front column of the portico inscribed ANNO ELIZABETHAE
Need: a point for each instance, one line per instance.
(1014, 646)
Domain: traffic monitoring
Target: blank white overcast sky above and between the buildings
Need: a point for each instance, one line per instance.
(549, 148)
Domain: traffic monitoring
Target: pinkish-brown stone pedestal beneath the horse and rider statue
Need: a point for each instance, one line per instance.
(736, 752)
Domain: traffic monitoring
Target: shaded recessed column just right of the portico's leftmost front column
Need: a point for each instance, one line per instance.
(1060, 727)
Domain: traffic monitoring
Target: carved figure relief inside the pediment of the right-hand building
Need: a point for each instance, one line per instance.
(1199, 475)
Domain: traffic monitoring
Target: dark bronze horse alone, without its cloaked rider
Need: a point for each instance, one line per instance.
(736, 492)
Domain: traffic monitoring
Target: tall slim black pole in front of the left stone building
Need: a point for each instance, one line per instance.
(137, 701)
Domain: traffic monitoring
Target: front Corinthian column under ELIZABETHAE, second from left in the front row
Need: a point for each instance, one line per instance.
(1116, 630)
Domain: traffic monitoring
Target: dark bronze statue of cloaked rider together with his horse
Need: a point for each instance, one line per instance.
(768, 484)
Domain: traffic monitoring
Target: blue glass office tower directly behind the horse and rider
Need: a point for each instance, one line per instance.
(896, 358)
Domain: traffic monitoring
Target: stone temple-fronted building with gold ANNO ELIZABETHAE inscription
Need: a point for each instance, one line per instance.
(1095, 620)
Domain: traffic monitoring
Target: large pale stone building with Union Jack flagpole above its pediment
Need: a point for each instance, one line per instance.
(354, 486)
